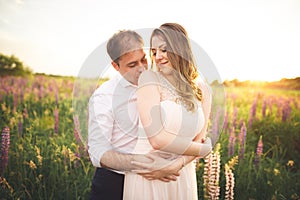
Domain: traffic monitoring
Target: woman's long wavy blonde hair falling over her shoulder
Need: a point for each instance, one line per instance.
(180, 55)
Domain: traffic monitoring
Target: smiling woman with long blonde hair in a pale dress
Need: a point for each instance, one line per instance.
(174, 110)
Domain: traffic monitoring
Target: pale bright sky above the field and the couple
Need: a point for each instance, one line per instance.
(246, 40)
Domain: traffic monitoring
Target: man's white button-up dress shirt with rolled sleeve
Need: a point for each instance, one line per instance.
(113, 119)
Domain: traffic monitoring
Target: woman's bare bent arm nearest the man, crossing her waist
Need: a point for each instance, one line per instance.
(150, 115)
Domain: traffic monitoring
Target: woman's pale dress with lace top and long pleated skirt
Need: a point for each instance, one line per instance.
(177, 120)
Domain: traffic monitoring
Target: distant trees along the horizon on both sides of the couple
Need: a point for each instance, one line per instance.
(12, 66)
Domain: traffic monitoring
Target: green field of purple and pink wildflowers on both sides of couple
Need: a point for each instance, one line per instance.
(41, 157)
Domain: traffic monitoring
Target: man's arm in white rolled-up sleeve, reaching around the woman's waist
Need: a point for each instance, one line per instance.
(101, 152)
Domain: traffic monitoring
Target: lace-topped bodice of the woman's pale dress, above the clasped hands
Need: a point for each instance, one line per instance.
(176, 119)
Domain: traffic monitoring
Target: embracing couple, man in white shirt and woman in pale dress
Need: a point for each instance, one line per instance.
(147, 126)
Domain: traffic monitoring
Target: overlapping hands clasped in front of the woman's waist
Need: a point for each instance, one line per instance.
(158, 168)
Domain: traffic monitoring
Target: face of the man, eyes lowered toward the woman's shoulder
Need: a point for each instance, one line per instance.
(131, 65)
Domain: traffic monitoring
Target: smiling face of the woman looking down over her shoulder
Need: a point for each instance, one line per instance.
(159, 55)
